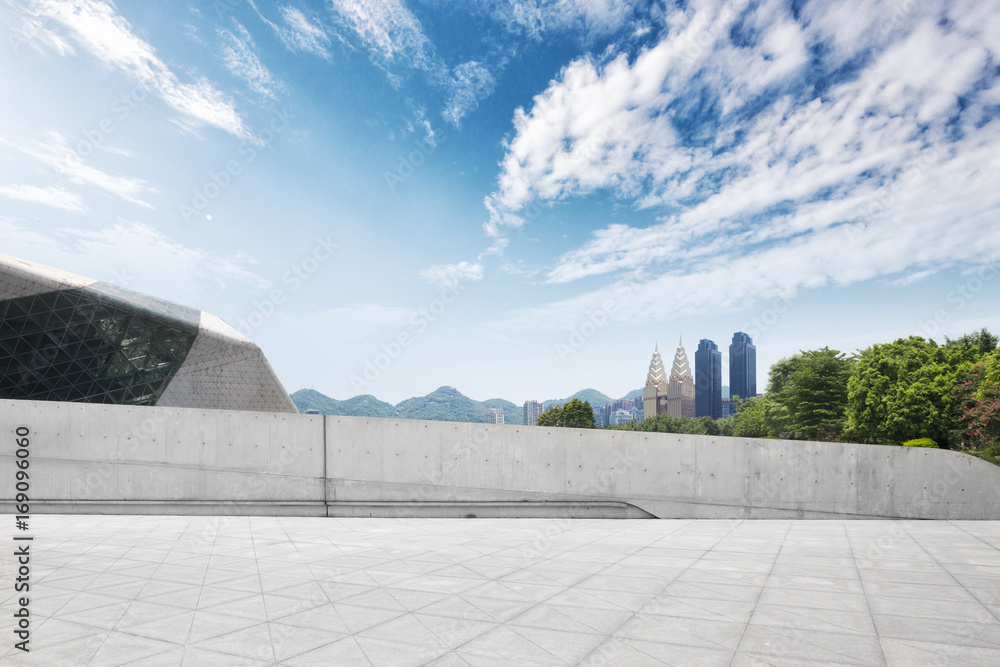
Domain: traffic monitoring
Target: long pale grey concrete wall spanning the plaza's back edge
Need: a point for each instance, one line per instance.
(92, 458)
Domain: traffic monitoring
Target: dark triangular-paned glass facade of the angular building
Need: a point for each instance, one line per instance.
(98, 344)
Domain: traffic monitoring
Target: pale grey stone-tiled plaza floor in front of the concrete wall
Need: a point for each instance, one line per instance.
(116, 590)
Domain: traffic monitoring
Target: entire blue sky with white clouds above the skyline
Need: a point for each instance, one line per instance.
(517, 198)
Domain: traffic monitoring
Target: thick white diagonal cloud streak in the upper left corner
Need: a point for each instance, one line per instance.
(99, 29)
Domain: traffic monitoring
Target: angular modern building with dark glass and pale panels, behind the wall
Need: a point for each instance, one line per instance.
(68, 338)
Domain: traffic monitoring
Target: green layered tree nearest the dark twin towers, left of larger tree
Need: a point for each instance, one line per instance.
(810, 392)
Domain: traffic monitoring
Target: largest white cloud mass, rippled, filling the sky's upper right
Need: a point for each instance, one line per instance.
(772, 146)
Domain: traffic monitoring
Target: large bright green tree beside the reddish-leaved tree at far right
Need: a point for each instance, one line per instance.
(905, 390)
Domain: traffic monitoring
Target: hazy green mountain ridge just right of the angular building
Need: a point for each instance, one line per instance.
(442, 404)
